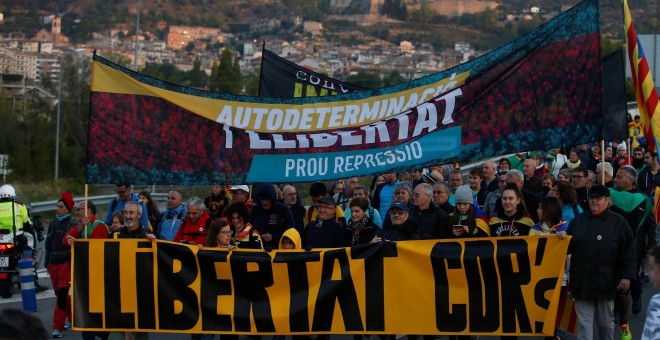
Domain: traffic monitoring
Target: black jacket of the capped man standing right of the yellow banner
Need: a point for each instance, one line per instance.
(603, 253)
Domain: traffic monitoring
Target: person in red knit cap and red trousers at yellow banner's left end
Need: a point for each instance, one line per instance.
(58, 260)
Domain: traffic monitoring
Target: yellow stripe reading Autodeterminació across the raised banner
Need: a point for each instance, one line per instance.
(286, 116)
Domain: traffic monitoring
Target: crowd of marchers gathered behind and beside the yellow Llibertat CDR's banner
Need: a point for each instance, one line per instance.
(603, 200)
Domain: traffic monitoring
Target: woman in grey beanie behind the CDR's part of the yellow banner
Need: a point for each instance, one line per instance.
(464, 220)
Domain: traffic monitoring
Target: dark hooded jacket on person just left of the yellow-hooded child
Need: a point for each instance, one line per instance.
(273, 221)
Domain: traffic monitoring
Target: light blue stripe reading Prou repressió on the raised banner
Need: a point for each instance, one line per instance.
(434, 147)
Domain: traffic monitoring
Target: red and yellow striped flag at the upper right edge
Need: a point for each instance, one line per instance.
(645, 93)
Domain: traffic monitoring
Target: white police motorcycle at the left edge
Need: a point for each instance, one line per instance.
(10, 254)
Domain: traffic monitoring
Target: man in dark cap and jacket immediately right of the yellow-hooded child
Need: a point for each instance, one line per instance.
(324, 232)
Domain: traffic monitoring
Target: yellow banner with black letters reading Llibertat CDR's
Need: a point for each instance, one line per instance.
(488, 286)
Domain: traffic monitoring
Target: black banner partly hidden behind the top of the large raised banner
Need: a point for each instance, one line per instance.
(282, 78)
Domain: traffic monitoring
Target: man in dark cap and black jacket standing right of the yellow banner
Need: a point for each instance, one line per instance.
(602, 264)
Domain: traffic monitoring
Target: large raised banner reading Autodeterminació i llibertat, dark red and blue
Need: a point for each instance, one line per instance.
(537, 92)
